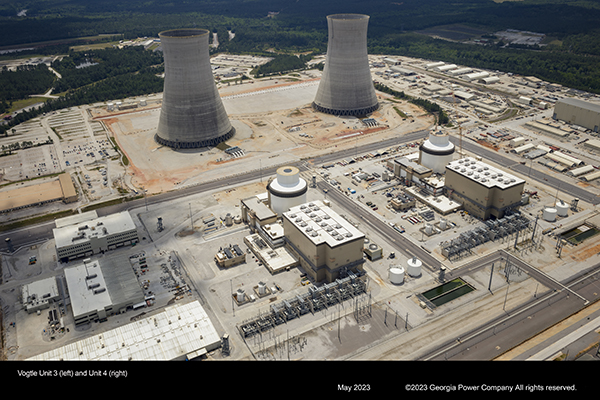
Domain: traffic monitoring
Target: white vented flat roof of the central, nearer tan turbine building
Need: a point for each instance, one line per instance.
(321, 224)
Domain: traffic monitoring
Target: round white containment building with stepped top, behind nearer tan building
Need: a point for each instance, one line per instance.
(286, 190)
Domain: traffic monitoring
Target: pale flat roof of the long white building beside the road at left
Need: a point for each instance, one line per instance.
(98, 227)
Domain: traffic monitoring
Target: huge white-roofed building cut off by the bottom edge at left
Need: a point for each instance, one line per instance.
(180, 332)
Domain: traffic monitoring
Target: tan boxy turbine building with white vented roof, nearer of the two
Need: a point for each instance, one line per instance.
(327, 245)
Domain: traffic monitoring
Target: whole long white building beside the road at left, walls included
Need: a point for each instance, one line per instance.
(86, 234)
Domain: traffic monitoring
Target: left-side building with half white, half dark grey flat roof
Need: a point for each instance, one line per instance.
(98, 289)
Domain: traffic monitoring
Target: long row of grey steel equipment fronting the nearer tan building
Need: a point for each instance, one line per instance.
(318, 298)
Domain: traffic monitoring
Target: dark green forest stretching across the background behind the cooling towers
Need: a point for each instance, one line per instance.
(284, 28)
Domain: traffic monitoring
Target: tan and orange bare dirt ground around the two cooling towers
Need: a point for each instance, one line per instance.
(267, 138)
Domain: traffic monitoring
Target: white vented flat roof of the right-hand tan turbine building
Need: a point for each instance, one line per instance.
(483, 173)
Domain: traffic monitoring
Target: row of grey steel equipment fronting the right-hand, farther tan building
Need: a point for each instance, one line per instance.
(493, 230)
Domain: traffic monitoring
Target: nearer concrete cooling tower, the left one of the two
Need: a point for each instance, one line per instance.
(192, 113)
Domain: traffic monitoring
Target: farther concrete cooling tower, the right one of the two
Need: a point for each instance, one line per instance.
(346, 87)
